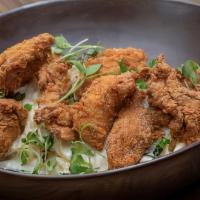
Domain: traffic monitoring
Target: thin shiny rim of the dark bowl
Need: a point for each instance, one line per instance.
(107, 172)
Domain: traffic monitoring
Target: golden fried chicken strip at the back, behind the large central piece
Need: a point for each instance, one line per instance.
(135, 59)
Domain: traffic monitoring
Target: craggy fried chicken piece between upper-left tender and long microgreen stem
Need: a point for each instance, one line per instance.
(53, 81)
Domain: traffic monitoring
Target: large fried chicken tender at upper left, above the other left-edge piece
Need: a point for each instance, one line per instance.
(20, 62)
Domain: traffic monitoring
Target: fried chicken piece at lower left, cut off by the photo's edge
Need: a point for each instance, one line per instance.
(12, 121)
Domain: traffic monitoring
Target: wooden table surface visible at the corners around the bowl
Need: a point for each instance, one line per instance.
(192, 192)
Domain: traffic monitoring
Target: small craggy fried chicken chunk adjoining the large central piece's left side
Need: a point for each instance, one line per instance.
(58, 120)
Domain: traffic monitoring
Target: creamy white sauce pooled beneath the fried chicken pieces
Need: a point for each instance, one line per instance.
(62, 149)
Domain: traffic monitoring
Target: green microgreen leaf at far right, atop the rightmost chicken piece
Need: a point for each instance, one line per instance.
(189, 70)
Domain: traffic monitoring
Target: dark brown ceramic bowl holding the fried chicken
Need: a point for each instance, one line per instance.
(156, 26)
